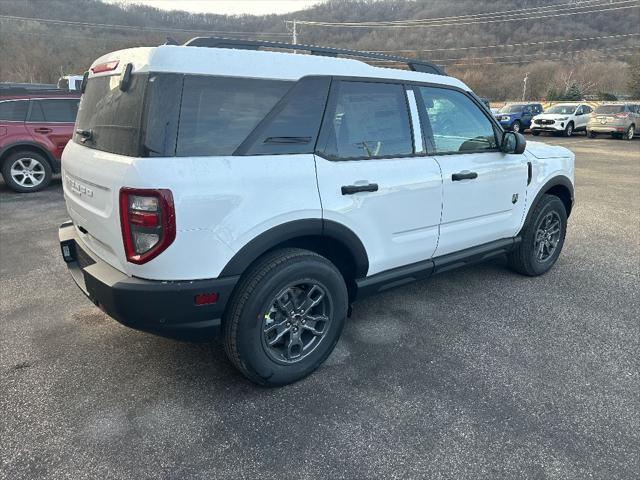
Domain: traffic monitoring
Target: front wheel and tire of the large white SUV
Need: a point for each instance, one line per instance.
(525, 258)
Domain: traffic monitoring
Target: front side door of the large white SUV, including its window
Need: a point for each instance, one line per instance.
(483, 189)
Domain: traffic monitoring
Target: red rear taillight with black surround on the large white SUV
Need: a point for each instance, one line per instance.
(148, 221)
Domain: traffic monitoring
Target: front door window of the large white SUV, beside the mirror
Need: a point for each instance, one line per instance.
(457, 123)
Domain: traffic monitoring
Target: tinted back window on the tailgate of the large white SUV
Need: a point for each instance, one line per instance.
(113, 117)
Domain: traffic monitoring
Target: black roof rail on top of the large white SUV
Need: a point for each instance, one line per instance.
(215, 42)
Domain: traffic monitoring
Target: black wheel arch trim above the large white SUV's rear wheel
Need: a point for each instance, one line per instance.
(312, 227)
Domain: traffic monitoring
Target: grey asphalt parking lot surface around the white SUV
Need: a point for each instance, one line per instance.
(478, 373)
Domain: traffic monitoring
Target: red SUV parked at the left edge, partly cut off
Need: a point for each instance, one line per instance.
(35, 126)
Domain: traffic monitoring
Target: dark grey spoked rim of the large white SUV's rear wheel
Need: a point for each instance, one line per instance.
(296, 321)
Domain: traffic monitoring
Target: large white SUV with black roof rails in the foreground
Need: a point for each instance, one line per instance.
(215, 187)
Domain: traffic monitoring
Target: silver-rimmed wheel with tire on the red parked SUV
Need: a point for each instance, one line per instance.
(38, 171)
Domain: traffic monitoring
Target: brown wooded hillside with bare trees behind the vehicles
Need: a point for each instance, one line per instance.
(480, 49)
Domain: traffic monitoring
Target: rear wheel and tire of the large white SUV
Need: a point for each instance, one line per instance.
(256, 317)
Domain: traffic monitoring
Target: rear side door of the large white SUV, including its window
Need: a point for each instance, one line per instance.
(373, 174)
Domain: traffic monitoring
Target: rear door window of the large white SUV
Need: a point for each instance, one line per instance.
(369, 120)
